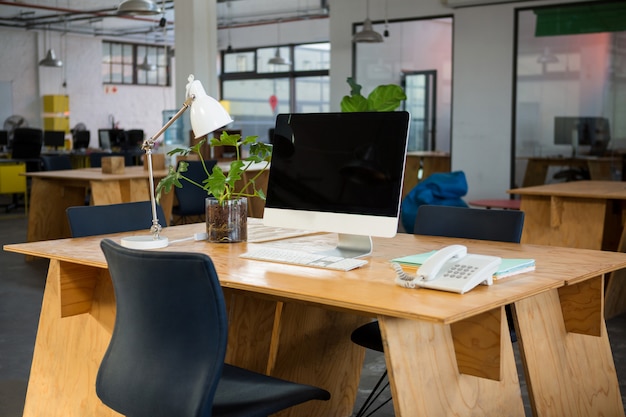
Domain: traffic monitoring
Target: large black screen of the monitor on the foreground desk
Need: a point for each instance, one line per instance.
(338, 162)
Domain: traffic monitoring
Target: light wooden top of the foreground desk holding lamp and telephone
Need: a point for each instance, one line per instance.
(369, 289)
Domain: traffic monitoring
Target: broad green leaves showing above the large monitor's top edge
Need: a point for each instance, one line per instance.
(382, 98)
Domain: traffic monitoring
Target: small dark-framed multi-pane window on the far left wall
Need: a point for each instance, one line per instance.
(125, 63)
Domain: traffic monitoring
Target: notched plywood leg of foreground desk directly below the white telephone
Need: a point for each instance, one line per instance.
(425, 380)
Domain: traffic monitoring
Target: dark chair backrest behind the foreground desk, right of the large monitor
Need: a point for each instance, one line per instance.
(470, 223)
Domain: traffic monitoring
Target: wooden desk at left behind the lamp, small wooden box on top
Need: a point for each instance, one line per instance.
(52, 192)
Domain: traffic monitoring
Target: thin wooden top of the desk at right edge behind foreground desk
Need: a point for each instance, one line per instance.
(583, 189)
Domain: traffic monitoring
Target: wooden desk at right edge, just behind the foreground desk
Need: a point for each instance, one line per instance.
(580, 214)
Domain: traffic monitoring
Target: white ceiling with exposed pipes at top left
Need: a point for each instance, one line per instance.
(99, 17)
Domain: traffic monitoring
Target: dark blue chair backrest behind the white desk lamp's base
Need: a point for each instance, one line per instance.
(112, 218)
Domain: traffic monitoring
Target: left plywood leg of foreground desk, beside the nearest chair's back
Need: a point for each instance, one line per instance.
(68, 352)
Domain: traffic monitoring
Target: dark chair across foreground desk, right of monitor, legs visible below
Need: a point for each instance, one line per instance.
(446, 221)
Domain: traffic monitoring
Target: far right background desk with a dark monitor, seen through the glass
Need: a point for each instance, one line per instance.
(599, 167)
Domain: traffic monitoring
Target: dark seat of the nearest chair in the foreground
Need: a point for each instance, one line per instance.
(242, 393)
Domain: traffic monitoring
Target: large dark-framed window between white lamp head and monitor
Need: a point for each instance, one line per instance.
(257, 90)
